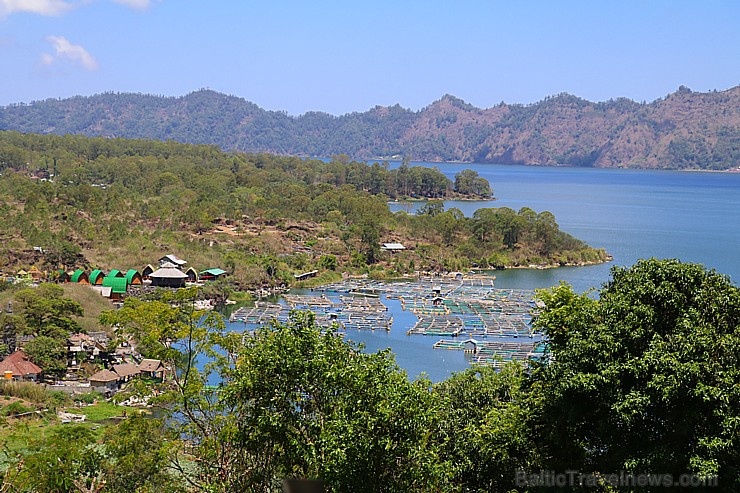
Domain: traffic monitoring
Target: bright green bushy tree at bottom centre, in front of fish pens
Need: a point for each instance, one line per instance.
(308, 404)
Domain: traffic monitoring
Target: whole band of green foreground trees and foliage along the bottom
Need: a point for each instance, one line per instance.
(642, 379)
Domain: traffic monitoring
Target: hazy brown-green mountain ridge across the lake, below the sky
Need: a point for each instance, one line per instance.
(684, 130)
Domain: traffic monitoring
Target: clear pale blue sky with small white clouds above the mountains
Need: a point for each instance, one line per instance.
(349, 56)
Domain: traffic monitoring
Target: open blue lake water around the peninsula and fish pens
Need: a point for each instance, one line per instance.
(691, 216)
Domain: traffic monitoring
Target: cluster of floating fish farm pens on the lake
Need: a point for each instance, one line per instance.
(491, 325)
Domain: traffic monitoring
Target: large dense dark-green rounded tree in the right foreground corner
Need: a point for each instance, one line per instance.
(644, 378)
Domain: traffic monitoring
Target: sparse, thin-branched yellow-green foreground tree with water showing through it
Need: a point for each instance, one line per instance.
(192, 344)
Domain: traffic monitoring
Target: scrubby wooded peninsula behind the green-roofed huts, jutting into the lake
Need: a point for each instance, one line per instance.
(118, 203)
